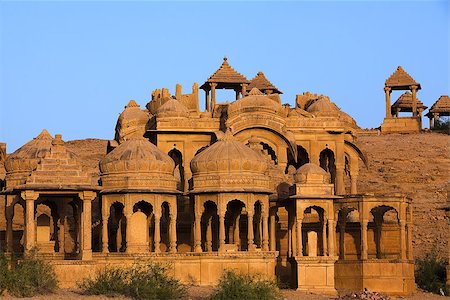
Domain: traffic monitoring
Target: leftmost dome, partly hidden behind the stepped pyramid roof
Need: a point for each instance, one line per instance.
(19, 164)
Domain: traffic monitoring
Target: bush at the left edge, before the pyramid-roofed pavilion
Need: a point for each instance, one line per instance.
(27, 278)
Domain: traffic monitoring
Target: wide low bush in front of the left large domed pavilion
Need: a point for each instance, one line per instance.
(140, 281)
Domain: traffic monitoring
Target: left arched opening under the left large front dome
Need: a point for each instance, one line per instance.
(116, 228)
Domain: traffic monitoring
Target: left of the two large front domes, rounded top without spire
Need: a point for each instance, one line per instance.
(138, 164)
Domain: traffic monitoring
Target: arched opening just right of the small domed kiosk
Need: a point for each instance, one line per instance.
(349, 233)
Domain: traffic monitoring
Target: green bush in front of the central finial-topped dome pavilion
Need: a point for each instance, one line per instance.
(235, 286)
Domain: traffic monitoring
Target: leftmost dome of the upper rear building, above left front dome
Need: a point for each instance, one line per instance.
(132, 121)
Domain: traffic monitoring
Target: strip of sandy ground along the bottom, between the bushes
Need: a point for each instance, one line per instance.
(202, 293)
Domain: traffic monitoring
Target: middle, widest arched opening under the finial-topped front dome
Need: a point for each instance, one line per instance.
(236, 226)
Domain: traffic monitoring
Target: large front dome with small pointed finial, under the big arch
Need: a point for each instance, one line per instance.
(229, 164)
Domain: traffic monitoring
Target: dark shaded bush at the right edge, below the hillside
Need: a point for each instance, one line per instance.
(431, 273)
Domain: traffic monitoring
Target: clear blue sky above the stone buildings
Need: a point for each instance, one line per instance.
(70, 67)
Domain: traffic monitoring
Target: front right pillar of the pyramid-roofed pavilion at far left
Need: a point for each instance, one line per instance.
(87, 198)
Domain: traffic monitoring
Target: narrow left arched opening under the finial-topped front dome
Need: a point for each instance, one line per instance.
(210, 227)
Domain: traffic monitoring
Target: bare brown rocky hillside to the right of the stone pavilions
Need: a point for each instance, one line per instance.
(417, 165)
